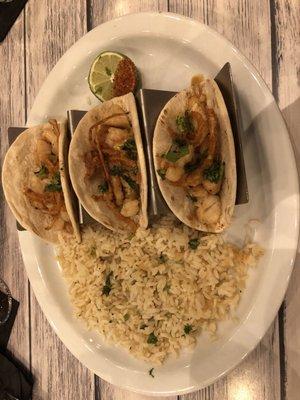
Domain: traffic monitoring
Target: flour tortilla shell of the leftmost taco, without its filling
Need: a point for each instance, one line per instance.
(17, 171)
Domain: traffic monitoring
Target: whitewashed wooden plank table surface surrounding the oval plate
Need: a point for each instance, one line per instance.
(267, 32)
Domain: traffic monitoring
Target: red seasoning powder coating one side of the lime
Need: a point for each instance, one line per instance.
(125, 78)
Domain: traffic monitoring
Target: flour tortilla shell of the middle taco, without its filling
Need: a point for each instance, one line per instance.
(80, 145)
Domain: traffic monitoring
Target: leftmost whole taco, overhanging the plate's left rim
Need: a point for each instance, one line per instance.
(35, 182)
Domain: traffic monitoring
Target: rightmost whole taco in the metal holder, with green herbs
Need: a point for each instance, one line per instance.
(194, 157)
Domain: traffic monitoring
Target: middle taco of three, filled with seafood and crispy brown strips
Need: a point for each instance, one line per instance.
(107, 165)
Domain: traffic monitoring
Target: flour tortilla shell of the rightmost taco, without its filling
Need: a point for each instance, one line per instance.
(176, 197)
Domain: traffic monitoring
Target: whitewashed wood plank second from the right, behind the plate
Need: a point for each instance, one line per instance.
(247, 25)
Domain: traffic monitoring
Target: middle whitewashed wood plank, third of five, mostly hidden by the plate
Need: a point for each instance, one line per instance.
(100, 12)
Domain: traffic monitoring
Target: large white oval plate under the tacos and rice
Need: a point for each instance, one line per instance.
(168, 49)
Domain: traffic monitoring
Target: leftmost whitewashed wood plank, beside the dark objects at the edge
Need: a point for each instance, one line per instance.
(12, 113)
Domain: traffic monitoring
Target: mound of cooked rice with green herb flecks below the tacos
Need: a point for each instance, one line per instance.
(159, 289)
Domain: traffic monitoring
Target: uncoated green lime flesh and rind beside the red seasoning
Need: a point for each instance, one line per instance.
(102, 72)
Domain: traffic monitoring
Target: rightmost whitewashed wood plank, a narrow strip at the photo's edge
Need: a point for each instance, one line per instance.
(287, 20)
